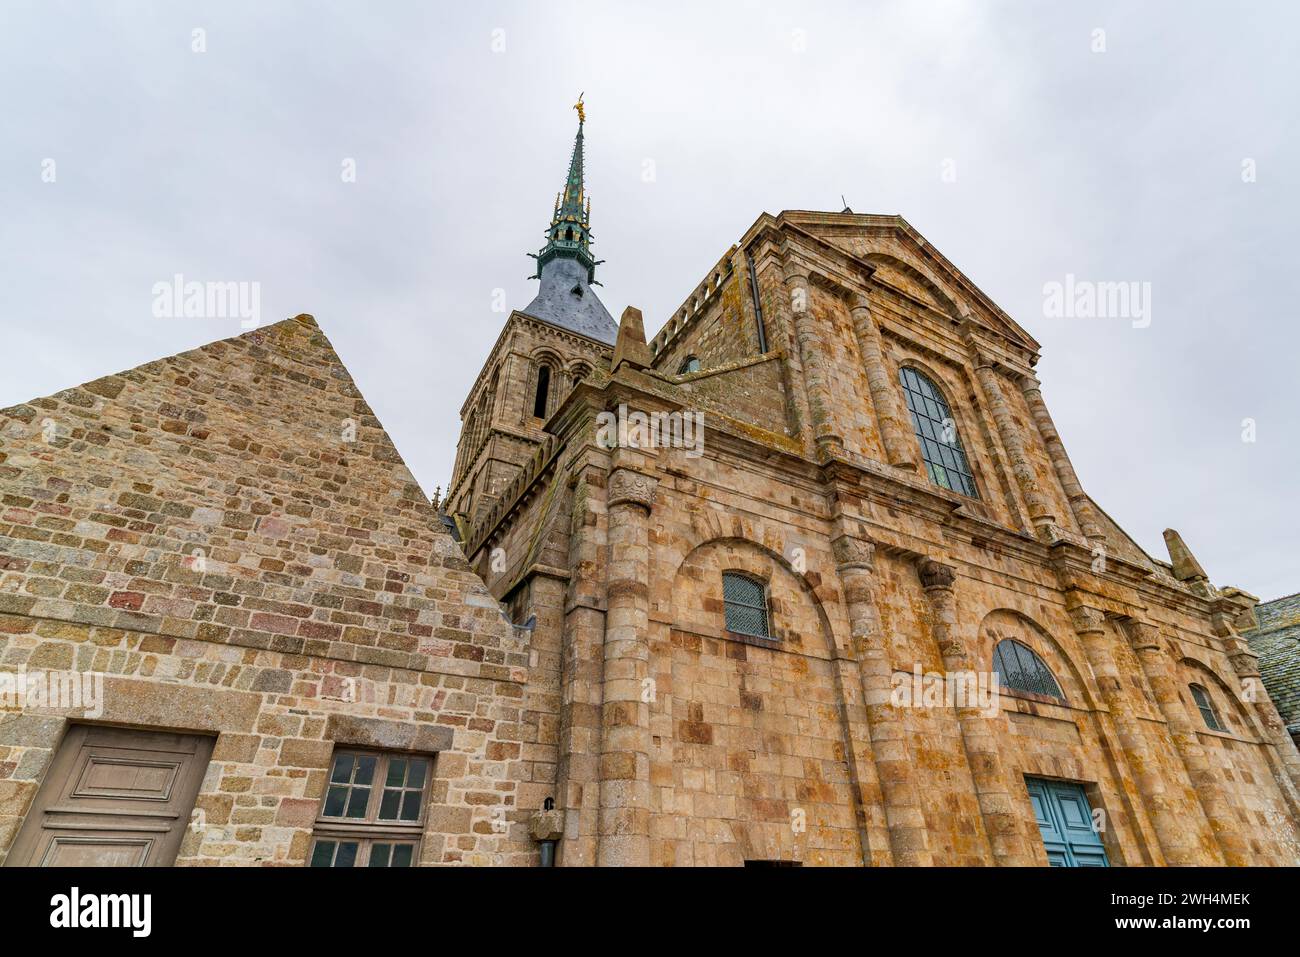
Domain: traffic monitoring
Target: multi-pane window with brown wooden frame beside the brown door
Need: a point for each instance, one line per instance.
(374, 811)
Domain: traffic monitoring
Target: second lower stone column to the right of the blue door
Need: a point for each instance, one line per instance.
(1220, 812)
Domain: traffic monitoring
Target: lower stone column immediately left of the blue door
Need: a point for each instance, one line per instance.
(998, 803)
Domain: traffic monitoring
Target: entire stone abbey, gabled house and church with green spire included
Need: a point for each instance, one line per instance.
(807, 578)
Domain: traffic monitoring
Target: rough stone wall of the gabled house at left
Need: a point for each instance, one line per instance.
(229, 538)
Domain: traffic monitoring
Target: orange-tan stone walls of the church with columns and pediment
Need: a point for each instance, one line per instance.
(683, 743)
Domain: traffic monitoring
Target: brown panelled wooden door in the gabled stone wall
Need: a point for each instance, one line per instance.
(114, 799)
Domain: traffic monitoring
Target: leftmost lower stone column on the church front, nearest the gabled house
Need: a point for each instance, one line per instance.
(578, 774)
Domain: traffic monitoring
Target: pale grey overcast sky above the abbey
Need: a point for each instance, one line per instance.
(999, 131)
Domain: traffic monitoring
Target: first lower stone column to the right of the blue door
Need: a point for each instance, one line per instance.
(1172, 834)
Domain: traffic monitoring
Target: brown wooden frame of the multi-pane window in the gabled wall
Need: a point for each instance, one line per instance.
(372, 830)
